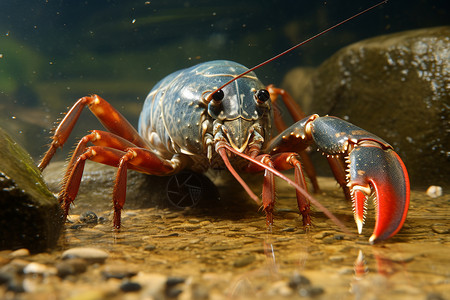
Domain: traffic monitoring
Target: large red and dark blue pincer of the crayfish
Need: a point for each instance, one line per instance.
(383, 172)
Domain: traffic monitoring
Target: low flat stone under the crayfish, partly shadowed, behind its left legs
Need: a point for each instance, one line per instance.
(216, 194)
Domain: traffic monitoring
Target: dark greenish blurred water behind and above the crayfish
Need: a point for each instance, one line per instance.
(52, 53)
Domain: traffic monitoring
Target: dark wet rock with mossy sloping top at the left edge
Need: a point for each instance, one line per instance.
(30, 216)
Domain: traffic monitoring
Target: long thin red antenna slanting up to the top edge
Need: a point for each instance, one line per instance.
(209, 97)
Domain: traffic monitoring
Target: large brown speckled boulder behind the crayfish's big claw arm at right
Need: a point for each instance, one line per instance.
(395, 86)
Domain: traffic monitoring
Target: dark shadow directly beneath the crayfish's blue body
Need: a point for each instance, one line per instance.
(215, 194)
